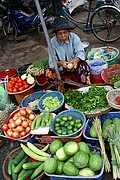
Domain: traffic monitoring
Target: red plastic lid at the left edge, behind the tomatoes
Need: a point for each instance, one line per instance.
(8, 72)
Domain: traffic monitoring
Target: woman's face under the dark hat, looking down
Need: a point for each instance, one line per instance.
(63, 35)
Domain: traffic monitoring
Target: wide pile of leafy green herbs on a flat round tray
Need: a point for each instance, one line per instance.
(94, 99)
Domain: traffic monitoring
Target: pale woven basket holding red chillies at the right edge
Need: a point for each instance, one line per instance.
(111, 96)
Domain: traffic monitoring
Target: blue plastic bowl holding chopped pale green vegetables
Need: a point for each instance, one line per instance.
(57, 94)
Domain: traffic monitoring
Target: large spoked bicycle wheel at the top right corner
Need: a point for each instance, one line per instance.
(105, 23)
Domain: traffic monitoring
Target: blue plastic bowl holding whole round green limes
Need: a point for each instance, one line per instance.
(75, 114)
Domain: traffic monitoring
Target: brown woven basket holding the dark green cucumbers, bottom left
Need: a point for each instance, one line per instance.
(11, 155)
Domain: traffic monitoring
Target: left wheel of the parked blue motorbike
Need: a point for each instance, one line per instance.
(9, 29)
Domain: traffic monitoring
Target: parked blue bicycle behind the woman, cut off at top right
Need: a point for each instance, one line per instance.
(104, 22)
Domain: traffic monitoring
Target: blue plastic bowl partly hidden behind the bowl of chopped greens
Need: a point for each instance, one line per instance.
(31, 97)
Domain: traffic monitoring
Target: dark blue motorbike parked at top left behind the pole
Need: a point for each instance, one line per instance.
(19, 22)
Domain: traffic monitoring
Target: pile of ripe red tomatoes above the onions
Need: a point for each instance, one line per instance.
(16, 84)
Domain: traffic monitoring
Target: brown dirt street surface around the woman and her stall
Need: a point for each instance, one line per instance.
(14, 54)
